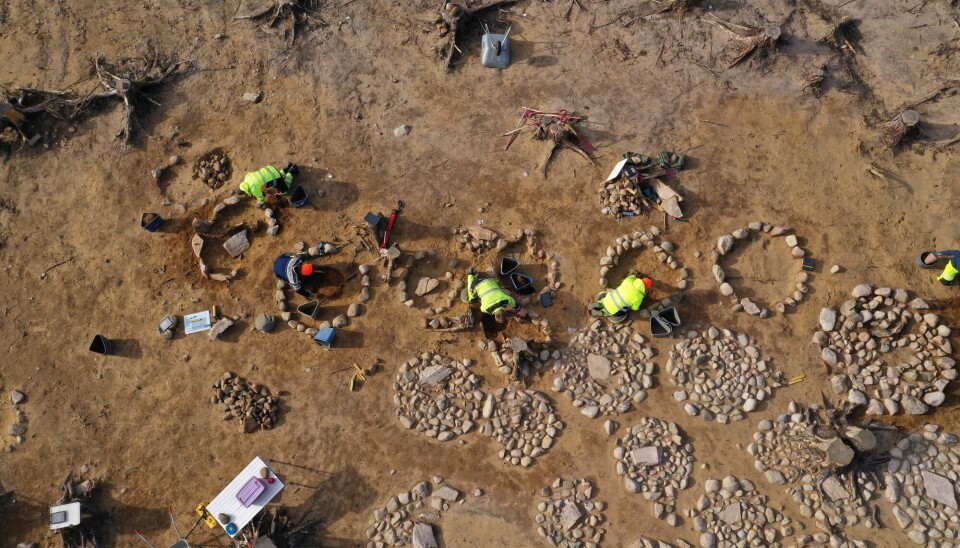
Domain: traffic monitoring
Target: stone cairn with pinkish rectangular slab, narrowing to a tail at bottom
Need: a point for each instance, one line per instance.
(654, 460)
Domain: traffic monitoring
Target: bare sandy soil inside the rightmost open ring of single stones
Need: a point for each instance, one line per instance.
(761, 269)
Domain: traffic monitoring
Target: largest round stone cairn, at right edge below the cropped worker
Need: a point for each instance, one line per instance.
(875, 322)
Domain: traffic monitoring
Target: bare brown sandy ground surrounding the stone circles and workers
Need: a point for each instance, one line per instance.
(761, 149)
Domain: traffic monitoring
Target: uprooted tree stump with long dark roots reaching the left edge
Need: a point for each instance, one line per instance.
(127, 80)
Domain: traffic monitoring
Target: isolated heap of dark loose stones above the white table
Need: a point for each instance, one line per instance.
(250, 403)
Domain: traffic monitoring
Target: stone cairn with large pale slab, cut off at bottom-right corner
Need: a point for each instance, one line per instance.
(921, 482)
